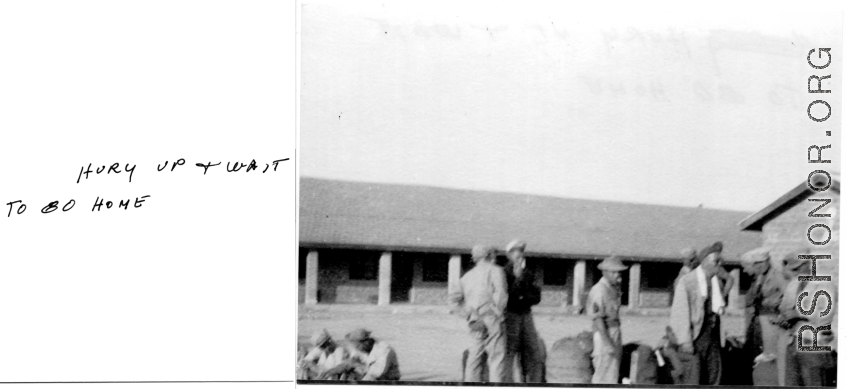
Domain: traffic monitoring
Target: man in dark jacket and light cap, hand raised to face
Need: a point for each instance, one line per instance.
(522, 344)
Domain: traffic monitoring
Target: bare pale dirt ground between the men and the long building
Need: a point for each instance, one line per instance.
(429, 342)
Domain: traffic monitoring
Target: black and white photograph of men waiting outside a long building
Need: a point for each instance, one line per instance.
(568, 194)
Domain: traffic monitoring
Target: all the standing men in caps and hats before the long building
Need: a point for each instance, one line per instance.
(496, 302)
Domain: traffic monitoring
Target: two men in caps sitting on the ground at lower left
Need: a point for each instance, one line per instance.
(358, 358)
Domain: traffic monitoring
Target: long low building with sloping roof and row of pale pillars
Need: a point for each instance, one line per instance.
(387, 244)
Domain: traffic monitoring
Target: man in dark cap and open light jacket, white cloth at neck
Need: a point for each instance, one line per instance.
(695, 314)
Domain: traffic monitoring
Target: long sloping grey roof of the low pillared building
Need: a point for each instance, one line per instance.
(406, 217)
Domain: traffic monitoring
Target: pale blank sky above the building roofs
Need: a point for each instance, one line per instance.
(685, 107)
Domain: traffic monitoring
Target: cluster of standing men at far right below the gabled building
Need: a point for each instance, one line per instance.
(775, 316)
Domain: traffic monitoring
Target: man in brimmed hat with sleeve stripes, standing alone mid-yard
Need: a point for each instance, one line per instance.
(603, 306)
